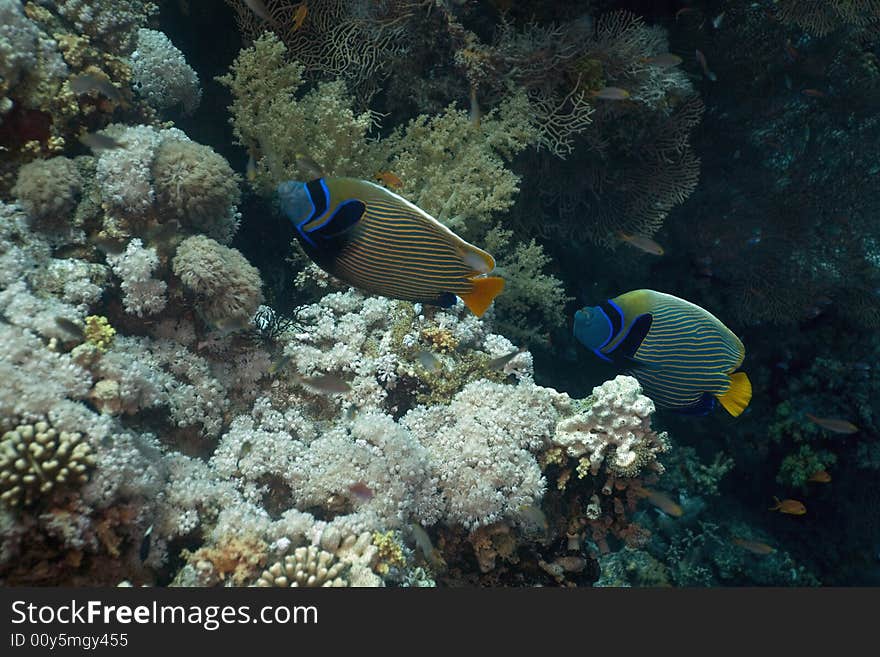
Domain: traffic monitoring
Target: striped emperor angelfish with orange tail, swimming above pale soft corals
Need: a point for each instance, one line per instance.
(376, 240)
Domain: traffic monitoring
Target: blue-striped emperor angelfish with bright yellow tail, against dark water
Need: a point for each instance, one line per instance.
(681, 354)
